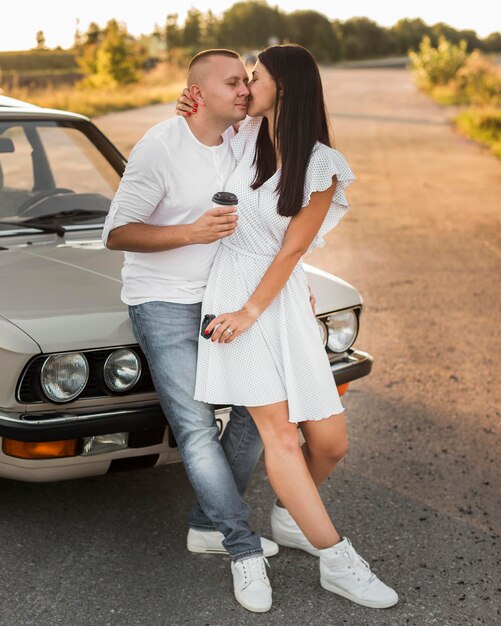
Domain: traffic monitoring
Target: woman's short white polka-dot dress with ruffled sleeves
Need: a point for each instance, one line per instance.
(281, 356)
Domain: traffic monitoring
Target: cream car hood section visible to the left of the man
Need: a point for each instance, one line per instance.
(65, 297)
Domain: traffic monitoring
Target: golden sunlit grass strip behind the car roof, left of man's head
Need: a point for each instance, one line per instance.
(163, 84)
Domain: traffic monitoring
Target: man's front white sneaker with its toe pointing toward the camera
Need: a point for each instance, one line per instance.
(251, 584)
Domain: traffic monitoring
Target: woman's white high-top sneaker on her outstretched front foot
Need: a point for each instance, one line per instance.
(346, 573)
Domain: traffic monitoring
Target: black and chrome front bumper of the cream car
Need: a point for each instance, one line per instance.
(137, 420)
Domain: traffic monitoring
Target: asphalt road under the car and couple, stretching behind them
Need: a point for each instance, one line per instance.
(419, 491)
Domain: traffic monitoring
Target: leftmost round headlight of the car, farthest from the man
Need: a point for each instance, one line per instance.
(64, 376)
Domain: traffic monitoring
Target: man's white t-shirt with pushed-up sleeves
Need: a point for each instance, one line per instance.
(170, 179)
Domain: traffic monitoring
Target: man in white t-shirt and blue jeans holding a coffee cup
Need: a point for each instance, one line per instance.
(159, 217)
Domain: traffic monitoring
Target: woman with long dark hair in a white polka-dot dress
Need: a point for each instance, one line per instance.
(265, 351)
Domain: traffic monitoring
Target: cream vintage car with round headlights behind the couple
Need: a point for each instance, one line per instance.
(76, 397)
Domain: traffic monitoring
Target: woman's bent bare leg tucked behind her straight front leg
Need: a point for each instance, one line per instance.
(326, 443)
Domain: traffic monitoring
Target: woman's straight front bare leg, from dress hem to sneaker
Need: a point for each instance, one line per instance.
(289, 476)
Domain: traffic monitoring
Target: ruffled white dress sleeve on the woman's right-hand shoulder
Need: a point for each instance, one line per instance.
(325, 162)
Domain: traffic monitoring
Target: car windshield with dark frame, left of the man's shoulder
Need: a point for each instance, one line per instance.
(53, 171)
